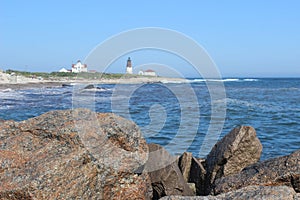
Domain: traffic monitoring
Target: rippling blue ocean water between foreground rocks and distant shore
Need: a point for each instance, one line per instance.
(179, 115)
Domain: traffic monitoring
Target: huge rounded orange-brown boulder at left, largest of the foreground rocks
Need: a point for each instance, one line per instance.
(72, 154)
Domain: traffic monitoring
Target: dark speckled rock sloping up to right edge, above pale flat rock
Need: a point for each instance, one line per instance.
(274, 172)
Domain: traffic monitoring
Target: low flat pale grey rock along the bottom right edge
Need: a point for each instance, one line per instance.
(250, 192)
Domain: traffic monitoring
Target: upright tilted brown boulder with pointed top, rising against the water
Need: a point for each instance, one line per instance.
(230, 155)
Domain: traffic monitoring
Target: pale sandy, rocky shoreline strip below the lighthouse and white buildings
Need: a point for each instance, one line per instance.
(23, 80)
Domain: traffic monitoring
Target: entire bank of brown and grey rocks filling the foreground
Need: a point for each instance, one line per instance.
(79, 154)
